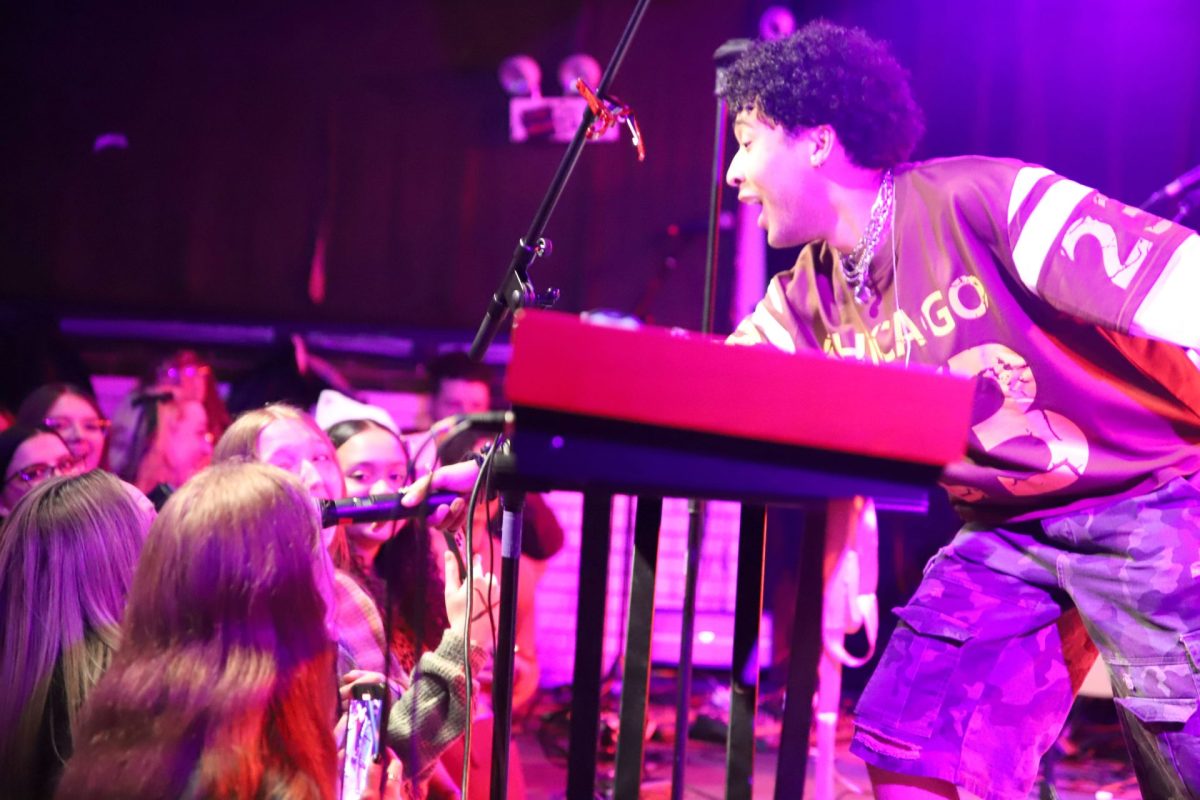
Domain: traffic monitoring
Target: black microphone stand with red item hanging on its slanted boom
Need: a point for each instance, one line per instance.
(517, 292)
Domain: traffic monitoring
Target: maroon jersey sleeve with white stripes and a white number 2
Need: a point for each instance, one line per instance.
(1102, 261)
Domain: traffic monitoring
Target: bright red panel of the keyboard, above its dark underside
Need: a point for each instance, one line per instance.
(688, 382)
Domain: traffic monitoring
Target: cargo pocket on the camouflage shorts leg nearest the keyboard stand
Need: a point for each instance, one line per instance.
(909, 688)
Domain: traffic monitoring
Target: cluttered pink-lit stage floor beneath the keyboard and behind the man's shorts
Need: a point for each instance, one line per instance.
(1096, 769)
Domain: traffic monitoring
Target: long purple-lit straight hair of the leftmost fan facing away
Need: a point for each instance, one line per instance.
(68, 556)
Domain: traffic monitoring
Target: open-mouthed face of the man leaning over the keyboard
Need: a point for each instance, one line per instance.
(775, 170)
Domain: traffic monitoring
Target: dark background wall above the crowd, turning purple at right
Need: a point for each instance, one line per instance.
(250, 127)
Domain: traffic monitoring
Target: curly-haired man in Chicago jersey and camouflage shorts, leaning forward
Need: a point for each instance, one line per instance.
(1081, 491)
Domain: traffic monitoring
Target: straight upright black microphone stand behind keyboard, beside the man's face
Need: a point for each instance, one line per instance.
(725, 56)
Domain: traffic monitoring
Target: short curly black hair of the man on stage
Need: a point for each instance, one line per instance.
(829, 75)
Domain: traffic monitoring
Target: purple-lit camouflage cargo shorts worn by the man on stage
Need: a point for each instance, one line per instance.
(979, 678)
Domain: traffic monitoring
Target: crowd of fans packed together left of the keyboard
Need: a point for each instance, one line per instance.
(205, 646)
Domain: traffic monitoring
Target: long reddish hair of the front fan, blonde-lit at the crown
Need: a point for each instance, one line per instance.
(224, 685)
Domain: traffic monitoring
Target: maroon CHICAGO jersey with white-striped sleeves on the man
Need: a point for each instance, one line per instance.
(1049, 294)
